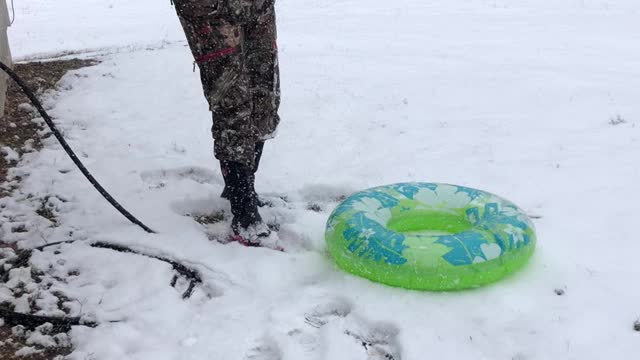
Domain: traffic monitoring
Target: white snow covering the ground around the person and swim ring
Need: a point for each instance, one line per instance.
(513, 97)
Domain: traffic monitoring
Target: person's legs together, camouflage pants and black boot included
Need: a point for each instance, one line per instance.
(238, 67)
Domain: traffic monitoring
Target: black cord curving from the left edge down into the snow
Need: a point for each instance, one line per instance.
(69, 151)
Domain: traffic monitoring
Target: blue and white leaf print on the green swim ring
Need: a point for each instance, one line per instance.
(368, 236)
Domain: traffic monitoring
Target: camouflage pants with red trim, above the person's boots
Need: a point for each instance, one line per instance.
(234, 44)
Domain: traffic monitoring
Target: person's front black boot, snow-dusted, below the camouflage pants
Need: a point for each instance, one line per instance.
(247, 222)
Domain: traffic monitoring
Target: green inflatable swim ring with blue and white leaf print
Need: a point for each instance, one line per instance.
(428, 236)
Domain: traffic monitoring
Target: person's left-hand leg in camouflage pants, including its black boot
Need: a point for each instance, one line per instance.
(218, 47)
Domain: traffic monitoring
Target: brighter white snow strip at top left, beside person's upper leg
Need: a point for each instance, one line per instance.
(45, 28)
